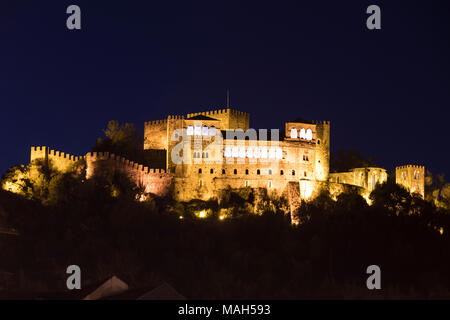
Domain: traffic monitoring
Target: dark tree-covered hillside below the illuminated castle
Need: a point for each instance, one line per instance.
(247, 256)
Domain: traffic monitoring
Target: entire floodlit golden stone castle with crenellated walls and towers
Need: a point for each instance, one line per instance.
(197, 155)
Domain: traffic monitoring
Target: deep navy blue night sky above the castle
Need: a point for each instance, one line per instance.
(386, 92)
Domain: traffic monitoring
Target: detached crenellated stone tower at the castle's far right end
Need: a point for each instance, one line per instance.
(411, 177)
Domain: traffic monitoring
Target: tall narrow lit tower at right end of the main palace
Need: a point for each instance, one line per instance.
(322, 150)
